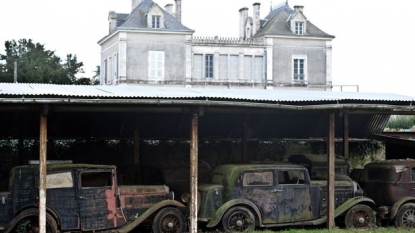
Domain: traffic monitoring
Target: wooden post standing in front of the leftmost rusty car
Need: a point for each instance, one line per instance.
(42, 169)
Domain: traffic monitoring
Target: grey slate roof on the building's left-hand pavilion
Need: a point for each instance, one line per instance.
(137, 19)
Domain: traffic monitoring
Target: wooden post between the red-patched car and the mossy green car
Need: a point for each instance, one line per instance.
(193, 172)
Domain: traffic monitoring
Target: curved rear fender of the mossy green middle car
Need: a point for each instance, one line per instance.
(235, 202)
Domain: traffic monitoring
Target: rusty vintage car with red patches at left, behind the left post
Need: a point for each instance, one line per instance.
(85, 197)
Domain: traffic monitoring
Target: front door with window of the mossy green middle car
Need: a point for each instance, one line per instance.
(292, 195)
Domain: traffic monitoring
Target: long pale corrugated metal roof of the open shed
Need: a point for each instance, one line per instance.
(163, 92)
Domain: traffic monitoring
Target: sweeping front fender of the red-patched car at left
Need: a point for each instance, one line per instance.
(150, 211)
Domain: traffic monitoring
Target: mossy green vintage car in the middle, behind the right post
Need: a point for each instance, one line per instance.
(245, 196)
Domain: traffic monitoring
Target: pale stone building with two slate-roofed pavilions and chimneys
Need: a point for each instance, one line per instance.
(151, 46)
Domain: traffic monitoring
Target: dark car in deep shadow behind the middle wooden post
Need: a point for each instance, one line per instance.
(174, 173)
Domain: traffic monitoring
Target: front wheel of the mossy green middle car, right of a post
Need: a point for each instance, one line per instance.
(359, 216)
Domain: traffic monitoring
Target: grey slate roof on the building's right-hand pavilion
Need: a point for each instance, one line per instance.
(275, 24)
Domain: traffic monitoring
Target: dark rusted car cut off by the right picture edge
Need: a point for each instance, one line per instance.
(391, 184)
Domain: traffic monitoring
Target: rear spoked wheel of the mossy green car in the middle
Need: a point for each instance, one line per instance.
(238, 219)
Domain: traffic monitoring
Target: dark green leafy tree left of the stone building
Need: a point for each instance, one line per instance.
(35, 64)
